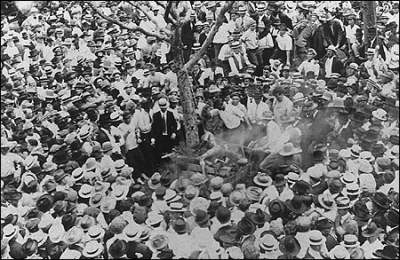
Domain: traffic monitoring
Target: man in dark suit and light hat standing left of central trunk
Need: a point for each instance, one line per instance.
(163, 129)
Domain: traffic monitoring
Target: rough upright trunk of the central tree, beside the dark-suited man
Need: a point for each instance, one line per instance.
(186, 92)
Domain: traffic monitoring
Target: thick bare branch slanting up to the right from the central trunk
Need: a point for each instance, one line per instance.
(210, 36)
